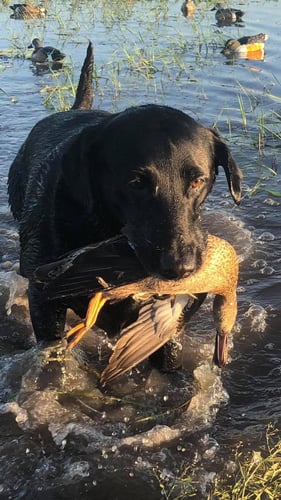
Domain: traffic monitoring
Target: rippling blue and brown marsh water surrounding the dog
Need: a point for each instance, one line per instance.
(59, 434)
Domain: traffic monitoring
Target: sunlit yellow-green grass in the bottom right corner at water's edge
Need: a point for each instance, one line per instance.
(256, 476)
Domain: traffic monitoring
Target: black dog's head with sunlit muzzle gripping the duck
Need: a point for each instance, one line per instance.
(151, 168)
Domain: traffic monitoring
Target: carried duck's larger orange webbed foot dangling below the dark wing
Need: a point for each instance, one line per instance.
(94, 307)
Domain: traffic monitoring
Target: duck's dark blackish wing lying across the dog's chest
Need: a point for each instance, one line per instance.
(78, 273)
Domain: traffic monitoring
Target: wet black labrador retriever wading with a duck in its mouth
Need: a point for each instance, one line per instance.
(85, 175)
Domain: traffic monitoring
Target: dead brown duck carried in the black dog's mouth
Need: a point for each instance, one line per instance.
(88, 269)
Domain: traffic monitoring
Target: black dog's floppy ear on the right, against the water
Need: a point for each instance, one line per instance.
(223, 157)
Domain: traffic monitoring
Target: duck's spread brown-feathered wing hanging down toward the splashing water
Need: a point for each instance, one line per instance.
(157, 323)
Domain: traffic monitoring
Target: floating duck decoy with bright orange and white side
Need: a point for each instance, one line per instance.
(247, 46)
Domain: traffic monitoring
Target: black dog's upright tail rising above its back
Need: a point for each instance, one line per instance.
(84, 93)
